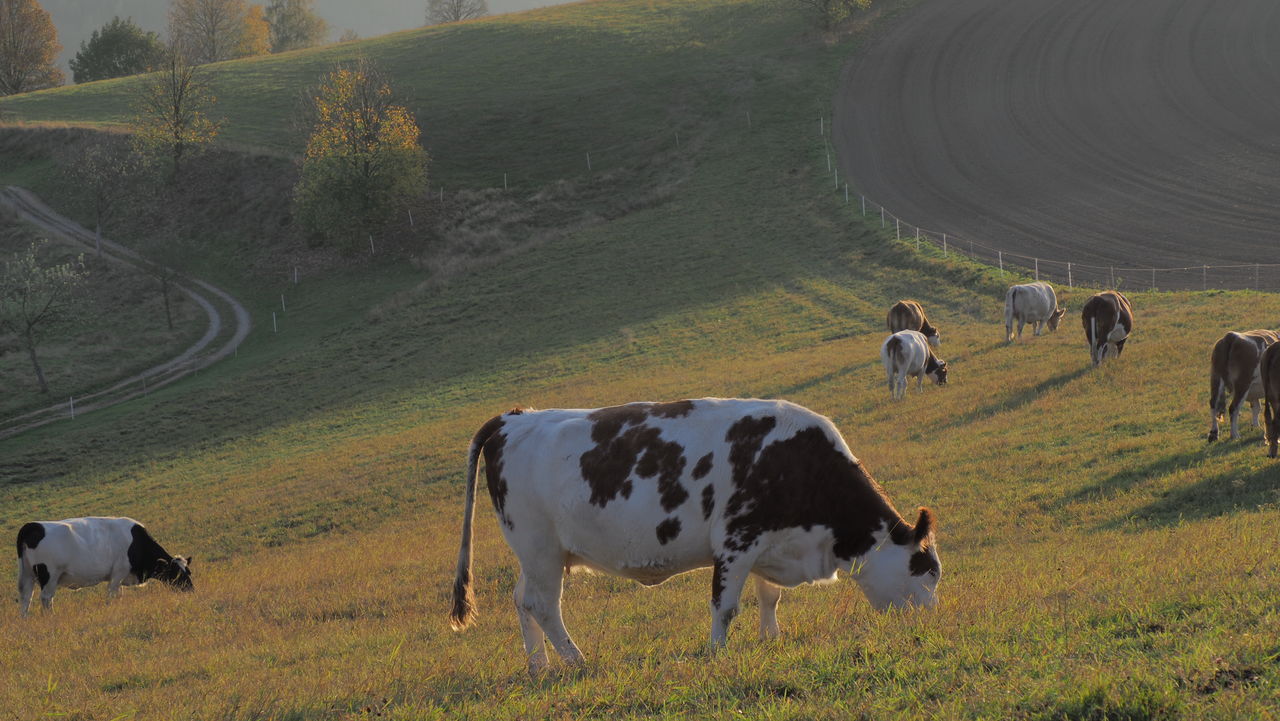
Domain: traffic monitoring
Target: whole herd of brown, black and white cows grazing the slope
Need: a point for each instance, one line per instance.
(751, 489)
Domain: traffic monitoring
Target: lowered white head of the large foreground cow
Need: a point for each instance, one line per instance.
(903, 571)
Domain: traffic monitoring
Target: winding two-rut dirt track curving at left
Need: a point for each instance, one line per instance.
(202, 354)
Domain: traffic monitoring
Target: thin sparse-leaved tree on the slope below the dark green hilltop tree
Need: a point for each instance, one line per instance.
(172, 113)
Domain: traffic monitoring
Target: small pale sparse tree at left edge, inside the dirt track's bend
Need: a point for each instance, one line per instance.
(35, 298)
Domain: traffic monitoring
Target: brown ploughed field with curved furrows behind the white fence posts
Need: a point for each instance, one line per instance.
(1139, 134)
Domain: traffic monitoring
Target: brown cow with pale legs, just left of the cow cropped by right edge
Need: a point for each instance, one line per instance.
(1235, 367)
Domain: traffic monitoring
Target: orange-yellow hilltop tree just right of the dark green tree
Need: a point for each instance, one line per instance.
(218, 30)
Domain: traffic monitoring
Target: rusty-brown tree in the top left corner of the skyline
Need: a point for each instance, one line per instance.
(29, 47)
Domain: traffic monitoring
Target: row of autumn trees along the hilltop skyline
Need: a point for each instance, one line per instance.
(208, 31)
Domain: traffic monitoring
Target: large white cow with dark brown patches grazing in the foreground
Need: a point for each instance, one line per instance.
(650, 491)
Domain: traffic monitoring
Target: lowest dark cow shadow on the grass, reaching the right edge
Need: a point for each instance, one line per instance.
(1224, 494)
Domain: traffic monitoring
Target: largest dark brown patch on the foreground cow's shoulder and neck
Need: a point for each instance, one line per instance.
(803, 482)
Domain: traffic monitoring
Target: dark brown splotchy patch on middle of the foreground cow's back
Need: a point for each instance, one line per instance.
(624, 444)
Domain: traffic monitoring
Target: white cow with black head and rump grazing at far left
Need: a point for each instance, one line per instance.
(83, 553)
